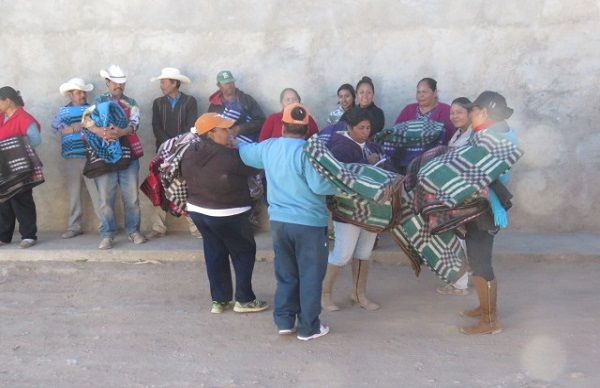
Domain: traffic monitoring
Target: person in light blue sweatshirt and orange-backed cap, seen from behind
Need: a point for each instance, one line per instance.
(298, 215)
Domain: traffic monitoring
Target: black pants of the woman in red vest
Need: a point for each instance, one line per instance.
(20, 208)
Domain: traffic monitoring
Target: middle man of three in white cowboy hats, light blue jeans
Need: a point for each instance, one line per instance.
(127, 180)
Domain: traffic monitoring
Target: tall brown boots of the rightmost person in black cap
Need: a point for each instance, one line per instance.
(488, 318)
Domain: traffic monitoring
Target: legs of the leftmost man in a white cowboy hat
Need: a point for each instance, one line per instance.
(73, 168)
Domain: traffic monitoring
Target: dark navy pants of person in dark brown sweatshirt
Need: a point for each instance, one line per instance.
(225, 237)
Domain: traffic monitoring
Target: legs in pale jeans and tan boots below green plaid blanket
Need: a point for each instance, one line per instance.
(351, 242)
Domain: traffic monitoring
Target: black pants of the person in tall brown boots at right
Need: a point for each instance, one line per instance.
(479, 250)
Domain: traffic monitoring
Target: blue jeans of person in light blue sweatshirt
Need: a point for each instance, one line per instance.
(300, 263)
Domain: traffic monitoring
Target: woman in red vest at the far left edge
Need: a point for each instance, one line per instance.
(15, 122)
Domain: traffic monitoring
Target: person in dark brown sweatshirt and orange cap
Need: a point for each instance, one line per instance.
(220, 211)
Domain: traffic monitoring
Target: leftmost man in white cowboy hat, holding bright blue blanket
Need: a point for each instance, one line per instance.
(67, 123)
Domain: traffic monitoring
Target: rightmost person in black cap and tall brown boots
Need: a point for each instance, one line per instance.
(488, 113)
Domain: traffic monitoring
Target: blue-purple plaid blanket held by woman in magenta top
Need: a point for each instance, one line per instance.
(410, 134)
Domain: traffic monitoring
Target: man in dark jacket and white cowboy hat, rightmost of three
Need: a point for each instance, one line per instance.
(172, 114)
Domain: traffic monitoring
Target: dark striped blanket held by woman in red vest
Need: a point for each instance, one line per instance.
(20, 167)
